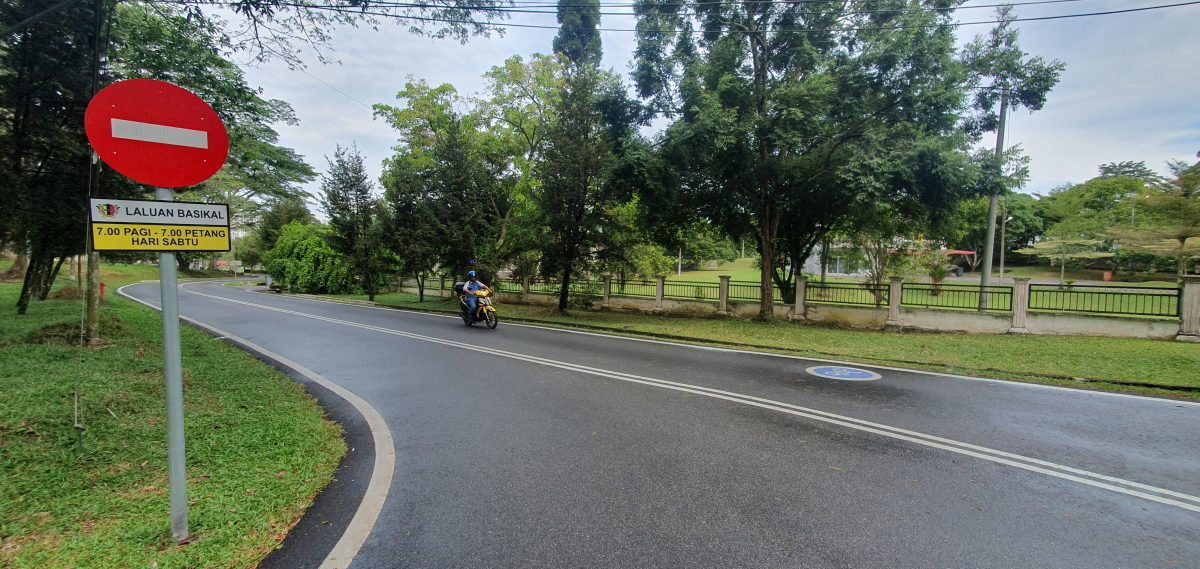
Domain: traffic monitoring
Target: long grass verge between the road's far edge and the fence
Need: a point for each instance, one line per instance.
(1147, 367)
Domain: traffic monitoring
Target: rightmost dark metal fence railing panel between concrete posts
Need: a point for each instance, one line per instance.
(1160, 302)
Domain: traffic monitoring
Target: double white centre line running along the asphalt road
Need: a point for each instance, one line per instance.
(999, 457)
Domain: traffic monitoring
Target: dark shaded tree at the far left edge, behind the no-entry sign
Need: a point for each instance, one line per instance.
(46, 82)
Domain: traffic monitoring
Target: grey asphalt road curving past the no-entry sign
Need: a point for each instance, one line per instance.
(526, 447)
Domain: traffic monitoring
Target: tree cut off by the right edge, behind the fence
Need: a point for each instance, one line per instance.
(1172, 211)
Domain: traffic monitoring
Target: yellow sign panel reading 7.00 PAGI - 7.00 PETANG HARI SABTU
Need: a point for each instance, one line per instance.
(140, 237)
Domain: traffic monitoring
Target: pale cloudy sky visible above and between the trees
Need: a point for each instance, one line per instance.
(1130, 91)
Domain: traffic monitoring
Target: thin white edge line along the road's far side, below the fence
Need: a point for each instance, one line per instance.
(801, 358)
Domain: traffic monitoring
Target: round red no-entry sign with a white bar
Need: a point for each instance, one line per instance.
(158, 134)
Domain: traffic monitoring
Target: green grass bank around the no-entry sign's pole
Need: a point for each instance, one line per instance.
(259, 448)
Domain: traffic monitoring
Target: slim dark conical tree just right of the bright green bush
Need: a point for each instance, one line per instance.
(356, 229)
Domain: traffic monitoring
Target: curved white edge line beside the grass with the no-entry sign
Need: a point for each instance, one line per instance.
(365, 518)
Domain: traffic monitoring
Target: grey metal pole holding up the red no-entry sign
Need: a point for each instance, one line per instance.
(173, 375)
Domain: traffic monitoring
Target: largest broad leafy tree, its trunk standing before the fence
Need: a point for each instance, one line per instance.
(777, 103)
